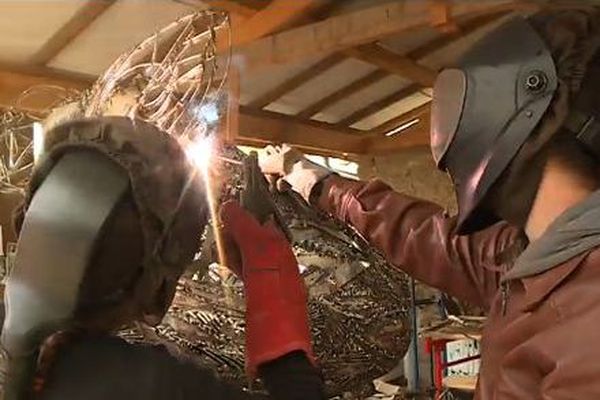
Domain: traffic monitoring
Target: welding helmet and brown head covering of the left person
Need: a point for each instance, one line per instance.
(107, 193)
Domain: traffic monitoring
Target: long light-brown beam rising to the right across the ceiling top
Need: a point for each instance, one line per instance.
(352, 29)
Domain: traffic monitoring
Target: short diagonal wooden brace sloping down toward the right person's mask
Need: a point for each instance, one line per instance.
(394, 63)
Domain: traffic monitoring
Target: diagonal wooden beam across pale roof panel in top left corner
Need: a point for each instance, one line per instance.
(70, 30)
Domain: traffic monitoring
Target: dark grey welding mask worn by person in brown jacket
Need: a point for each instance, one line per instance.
(485, 108)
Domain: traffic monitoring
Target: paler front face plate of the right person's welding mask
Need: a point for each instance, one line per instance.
(449, 95)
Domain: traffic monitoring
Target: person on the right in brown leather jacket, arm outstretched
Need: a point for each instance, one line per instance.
(516, 125)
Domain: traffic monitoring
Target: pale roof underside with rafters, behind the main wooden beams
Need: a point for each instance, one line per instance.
(365, 89)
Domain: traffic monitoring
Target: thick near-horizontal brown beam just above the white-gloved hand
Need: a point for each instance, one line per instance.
(259, 128)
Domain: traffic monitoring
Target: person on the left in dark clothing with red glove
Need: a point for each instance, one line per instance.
(113, 214)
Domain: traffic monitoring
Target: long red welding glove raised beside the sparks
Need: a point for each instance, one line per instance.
(276, 312)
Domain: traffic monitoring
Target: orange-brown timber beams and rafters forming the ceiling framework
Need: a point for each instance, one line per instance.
(259, 29)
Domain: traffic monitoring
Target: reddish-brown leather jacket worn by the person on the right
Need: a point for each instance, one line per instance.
(539, 339)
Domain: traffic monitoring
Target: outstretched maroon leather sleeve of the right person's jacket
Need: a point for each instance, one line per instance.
(418, 237)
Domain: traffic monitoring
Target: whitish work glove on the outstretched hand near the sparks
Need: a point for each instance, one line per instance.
(293, 167)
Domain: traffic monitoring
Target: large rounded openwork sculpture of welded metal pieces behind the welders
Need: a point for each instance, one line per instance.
(359, 304)
